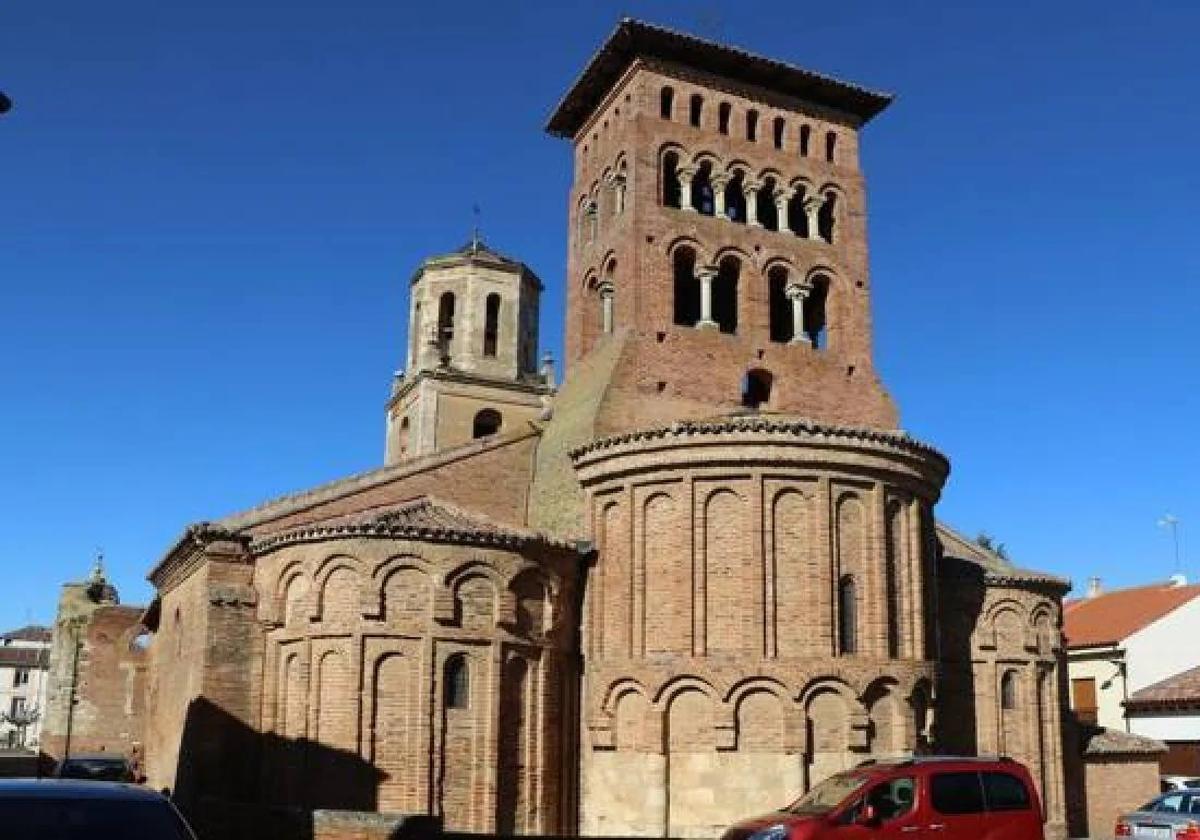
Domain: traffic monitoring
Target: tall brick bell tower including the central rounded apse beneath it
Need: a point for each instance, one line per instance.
(763, 608)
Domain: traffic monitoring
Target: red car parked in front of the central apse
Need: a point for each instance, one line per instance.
(943, 797)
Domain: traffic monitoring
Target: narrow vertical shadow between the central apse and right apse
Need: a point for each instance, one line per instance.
(963, 591)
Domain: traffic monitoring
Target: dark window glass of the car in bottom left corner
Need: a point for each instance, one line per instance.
(49, 819)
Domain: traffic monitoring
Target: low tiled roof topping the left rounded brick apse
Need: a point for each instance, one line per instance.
(423, 519)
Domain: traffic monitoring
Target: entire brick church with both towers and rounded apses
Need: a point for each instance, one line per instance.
(687, 583)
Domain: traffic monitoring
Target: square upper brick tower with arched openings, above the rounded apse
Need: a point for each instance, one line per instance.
(718, 225)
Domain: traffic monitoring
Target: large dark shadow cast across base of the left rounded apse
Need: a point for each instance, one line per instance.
(236, 784)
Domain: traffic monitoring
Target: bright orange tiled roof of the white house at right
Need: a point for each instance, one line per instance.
(1115, 616)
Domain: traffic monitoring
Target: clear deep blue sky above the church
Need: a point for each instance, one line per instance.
(209, 212)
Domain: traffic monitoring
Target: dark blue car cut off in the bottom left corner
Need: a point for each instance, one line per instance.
(59, 809)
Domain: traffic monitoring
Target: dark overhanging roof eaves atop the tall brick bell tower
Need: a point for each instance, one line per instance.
(634, 40)
